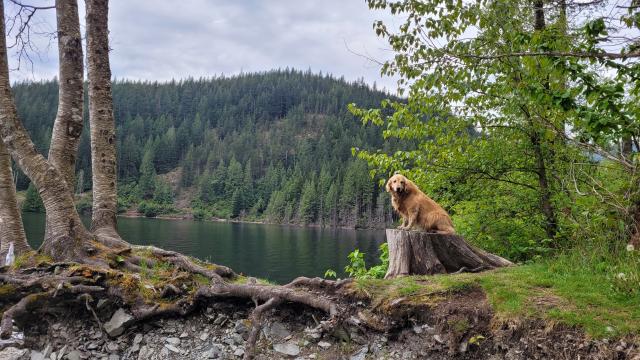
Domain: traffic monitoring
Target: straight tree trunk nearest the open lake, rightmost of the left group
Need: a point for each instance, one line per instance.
(103, 143)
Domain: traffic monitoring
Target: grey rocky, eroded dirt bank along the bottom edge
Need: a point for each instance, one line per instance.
(456, 329)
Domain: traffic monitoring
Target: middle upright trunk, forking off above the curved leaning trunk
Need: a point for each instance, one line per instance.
(68, 125)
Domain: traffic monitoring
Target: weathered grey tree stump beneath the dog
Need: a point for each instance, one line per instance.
(422, 253)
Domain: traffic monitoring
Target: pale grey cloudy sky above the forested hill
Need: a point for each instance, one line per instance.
(169, 39)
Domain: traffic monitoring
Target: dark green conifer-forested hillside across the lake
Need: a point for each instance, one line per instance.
(273, 146)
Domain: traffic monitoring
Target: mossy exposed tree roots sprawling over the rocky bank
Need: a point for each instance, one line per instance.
(152, 283)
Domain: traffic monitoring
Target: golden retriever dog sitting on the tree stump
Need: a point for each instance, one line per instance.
(418, 211)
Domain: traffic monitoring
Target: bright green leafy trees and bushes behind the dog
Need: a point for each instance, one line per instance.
(507, 123)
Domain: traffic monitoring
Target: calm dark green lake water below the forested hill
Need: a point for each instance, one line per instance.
(275, 252)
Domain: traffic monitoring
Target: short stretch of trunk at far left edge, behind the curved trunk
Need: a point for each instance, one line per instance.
(11, 229)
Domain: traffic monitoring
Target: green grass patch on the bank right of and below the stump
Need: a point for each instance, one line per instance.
(569, 289)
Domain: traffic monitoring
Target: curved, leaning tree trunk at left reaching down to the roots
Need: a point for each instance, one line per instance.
(66, 231)
